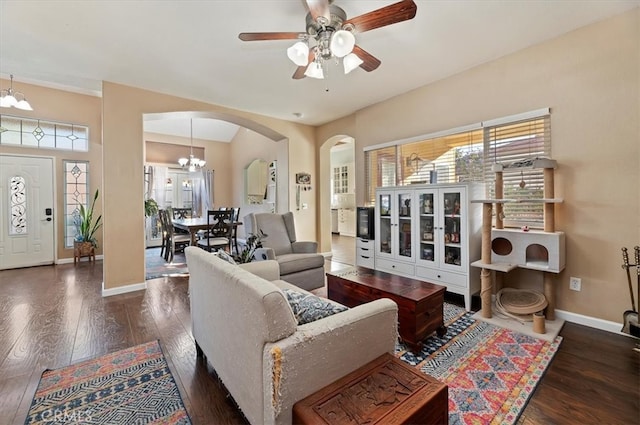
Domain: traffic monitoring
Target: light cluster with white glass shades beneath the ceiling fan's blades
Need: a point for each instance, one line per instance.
(331, 40)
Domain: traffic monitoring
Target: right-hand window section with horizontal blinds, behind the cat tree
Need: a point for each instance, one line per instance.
(514, 145)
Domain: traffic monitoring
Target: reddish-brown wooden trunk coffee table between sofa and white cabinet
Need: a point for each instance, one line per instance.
(419, 303)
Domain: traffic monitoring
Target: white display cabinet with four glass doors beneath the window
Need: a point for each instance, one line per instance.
(432, 233)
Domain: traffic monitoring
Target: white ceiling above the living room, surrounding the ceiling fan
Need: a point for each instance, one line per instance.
(191, 48)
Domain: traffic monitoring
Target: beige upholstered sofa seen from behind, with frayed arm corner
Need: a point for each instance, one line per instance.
(243, 324)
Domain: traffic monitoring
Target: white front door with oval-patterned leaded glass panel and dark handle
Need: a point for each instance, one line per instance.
(26, 211)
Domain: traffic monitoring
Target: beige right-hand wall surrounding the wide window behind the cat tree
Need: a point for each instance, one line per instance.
(590, 78)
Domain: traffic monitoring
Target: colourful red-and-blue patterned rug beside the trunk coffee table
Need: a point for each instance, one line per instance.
(491, 371)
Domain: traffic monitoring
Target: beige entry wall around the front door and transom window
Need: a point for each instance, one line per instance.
(69, 108)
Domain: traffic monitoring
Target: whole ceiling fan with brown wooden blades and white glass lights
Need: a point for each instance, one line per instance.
(330, 35)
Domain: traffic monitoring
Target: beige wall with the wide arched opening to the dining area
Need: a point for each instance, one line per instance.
(123, 108)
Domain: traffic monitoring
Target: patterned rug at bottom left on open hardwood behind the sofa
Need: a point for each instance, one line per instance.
(131, 386)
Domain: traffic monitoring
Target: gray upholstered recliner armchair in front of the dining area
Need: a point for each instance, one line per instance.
(299, 261)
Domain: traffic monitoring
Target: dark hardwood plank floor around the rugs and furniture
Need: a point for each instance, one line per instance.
(53, 316)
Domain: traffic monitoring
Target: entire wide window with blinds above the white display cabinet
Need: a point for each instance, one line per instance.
(468, 156)
